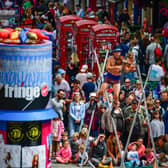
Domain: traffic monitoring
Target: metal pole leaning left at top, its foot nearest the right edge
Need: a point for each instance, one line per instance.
(150, 130)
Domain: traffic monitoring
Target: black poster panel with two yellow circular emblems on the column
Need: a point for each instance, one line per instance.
(24, 133)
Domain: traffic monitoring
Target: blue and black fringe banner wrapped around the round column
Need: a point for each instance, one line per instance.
(27, 85)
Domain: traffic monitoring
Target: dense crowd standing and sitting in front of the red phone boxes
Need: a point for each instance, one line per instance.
(77, 97)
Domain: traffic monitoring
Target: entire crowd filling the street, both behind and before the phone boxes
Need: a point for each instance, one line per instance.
(76, 95)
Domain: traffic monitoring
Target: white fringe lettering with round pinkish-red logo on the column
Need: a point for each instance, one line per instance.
(28, 93)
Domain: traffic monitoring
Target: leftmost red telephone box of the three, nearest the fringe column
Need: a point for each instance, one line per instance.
(64, 38)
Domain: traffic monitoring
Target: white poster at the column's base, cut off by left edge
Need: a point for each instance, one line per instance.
(10, 156)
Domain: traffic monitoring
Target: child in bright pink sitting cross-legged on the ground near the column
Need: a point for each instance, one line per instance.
(65, 154)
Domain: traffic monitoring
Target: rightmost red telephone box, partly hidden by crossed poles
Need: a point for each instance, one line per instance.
(102, 37)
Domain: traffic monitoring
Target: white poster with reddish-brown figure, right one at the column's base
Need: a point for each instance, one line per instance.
(34, 156)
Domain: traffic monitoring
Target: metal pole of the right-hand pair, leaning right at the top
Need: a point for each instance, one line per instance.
(133, 123)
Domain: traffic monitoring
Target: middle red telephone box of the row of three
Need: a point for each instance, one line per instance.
(81, 33)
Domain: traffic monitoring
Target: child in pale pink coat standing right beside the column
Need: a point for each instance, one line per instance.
(57, 127)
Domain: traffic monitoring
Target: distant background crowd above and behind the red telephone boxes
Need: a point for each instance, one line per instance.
(43, 14)
